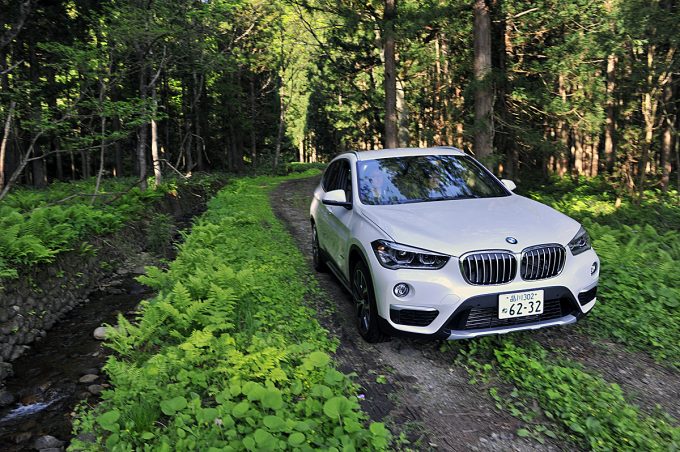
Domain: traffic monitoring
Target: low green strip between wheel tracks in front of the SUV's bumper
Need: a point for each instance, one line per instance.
(586, 408)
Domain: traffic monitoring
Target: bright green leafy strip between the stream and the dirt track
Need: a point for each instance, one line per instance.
(227, 356)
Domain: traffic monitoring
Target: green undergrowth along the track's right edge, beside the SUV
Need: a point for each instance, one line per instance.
(639, 245)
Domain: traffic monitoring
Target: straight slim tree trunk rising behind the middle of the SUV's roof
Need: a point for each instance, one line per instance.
(390, 15)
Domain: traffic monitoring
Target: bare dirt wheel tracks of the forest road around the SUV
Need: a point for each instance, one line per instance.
(416, 387)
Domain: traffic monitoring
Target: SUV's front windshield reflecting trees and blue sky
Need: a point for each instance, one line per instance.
(423, 178)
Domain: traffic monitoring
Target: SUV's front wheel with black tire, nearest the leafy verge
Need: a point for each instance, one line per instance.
(364, 302)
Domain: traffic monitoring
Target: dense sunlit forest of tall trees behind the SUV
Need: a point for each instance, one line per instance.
(534, 88)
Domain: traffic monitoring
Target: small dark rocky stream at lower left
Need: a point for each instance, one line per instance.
(46, 378)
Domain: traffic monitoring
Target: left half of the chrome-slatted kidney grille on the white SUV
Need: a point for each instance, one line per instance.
(489, 267)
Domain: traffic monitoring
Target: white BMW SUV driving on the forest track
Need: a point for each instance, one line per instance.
(429, 242)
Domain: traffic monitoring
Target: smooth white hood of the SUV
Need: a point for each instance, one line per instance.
(458, 226)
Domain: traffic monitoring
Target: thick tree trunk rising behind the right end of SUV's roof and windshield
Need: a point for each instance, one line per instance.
(483, 139)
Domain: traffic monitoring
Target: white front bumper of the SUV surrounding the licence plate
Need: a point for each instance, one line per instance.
(441, 304)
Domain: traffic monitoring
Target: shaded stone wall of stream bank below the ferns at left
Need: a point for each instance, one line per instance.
(43, 294)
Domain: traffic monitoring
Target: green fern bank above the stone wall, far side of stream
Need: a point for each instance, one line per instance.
(36, 225)
